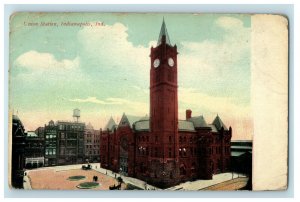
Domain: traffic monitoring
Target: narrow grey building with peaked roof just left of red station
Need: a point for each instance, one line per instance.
(92, 144)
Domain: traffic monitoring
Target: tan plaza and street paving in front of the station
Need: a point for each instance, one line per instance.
(56, 178)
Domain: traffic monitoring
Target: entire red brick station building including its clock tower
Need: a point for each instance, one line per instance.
(161, 149)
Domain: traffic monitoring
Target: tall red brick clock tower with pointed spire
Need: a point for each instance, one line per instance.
(164, 109)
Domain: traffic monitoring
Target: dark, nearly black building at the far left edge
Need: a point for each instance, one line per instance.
(18, 149)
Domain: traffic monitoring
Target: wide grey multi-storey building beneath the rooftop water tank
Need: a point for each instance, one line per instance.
(70, 142)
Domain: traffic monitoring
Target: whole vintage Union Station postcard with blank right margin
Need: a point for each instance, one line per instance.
(156, 101)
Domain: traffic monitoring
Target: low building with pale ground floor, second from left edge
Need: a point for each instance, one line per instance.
(34, 150)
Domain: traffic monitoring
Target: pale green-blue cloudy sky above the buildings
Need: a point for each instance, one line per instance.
(104, 70)
